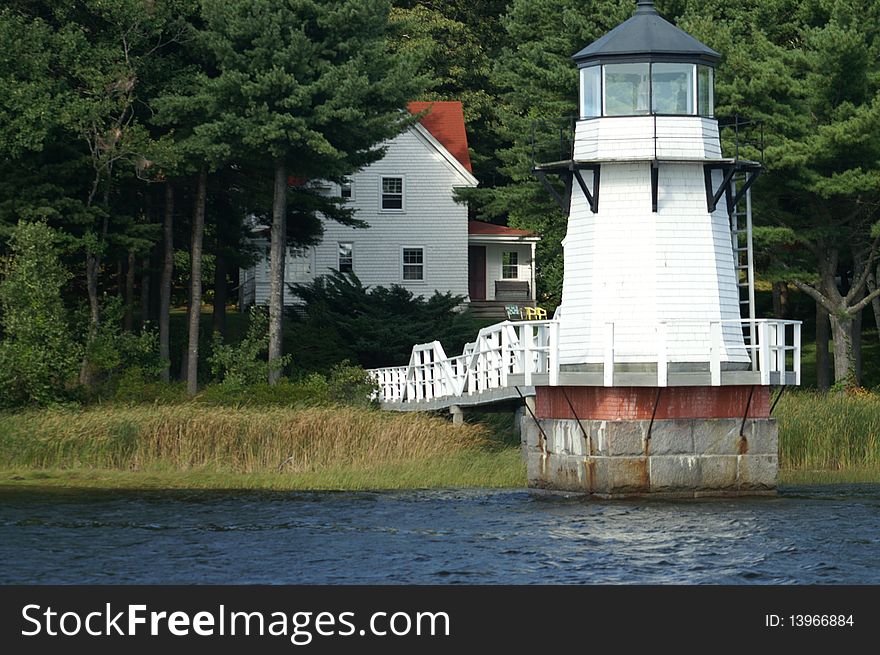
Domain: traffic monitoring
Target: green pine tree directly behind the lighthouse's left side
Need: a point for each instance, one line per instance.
(538, 84)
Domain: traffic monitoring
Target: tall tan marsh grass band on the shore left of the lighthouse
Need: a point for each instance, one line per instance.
(240, 441)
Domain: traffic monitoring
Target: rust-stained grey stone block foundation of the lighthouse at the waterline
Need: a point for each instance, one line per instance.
(681, 457)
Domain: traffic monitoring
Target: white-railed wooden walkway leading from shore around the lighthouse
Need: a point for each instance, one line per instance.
(509, 359)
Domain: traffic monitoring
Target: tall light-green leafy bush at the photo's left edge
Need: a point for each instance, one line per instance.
(39, 357)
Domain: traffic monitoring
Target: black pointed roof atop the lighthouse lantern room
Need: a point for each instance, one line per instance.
(646, 37)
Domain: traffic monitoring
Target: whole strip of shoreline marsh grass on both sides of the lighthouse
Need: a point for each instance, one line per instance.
(822, 438)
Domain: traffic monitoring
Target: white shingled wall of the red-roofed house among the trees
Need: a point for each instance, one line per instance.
(431, 220)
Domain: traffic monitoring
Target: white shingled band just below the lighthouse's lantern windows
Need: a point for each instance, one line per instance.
(677, 137)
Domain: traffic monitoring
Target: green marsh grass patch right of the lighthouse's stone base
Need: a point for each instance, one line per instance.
(829, 432)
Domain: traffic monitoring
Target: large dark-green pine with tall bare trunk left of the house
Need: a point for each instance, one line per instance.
(311, 87)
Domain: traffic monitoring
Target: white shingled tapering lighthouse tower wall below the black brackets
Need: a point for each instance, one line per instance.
(633, 267)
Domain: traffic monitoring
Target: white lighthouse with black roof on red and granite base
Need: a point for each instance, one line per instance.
(663, 374)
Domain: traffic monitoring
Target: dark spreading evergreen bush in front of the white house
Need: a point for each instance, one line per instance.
(375, 326)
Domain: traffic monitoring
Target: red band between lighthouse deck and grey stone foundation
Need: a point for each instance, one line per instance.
(637, 403)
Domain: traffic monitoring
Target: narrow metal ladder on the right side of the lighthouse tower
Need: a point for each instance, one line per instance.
(744, 261)
